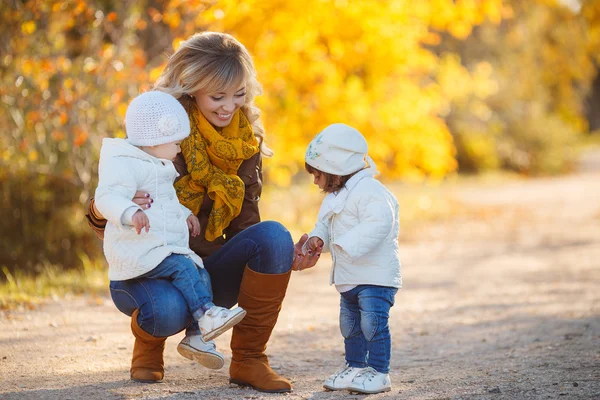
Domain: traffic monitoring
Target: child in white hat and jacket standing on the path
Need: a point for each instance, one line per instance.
(359, 224)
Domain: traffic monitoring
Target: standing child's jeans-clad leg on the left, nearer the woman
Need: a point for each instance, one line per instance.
(350, 326)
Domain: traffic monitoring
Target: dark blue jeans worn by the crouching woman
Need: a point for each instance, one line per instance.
(266, 247)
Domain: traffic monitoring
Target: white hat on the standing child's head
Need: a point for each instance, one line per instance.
(338, 150)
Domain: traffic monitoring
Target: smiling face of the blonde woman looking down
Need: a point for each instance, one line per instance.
(219, 107)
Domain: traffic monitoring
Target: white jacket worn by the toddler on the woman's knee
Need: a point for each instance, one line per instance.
(123, 170)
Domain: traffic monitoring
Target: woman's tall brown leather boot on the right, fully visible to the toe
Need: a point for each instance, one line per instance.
(261, 296)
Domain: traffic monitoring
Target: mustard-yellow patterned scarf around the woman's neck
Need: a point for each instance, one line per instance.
(213, 158)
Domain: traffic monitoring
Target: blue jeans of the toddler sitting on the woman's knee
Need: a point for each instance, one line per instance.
(191, 281)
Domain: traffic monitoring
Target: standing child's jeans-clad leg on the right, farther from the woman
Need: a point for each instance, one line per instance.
(375, 303)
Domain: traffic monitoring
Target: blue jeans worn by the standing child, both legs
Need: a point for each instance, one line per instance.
(364, 315)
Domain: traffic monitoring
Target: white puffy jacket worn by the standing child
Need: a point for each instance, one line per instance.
(359, 226)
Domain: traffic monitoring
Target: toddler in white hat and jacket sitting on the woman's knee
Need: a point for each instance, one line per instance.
(153, 243)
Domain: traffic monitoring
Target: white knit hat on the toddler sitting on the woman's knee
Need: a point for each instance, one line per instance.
(155, 118)
